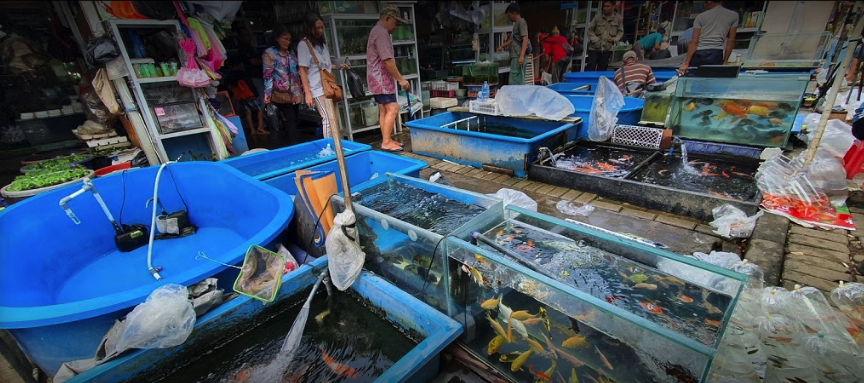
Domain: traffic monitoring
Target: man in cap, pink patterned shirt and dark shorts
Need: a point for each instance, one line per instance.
(382, 74)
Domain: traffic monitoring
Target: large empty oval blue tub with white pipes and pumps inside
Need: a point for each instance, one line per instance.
(65, 284)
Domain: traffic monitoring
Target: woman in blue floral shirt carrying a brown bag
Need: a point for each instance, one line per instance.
(282, 84)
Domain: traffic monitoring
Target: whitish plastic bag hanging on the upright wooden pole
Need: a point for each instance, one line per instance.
(344, 254)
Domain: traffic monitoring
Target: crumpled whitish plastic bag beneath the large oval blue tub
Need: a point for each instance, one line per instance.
(164, 320)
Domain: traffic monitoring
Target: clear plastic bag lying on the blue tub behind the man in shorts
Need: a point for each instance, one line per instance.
(528, 100)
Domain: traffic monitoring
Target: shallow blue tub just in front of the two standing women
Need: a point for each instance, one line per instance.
(269, 164)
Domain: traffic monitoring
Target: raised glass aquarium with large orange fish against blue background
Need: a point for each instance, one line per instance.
(752, 109)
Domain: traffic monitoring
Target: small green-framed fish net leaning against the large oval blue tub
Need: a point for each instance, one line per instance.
(261, 274)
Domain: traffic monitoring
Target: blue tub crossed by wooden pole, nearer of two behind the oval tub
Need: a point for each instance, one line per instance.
(362, 169)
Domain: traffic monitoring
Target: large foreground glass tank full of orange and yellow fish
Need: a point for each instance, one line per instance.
(587, 305)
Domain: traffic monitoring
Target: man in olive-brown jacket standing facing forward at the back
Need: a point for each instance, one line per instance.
(605, 30)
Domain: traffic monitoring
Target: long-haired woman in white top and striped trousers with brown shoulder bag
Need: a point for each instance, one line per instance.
(310, 74)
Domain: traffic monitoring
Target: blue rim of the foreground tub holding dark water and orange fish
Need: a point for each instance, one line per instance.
(422, 364)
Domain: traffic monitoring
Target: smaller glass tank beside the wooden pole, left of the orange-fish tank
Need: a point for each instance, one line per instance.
(401, 223)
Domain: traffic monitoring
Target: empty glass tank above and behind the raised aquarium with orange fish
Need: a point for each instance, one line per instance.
(779, 50)
